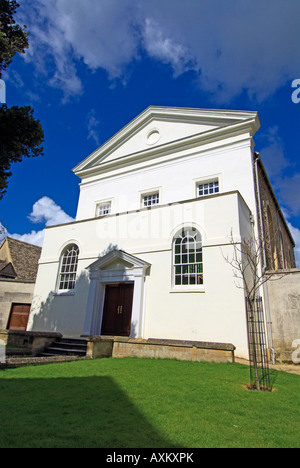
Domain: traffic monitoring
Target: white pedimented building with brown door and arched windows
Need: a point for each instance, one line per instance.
(158, 205)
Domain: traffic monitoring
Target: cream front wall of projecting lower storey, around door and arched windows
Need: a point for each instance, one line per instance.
(214, 314)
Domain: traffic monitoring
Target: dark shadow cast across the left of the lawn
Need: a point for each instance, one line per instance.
(72, 412)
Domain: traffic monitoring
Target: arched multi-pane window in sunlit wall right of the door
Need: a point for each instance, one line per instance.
(188, 259)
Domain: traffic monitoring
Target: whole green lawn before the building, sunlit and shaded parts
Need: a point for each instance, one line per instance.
(141, 403)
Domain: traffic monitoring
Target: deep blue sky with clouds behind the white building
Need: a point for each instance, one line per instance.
(93, 65)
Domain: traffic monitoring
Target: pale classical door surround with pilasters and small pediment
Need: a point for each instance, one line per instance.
(116, 267)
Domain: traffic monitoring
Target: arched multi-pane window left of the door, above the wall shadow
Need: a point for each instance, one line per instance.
(68, 268)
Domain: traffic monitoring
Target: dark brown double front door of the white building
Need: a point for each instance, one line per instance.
(117, 309)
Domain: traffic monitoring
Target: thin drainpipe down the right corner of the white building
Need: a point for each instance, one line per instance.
(265, 286)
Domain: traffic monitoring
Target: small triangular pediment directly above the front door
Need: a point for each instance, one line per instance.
(118, 260)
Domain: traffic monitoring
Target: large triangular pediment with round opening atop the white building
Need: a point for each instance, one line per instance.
(159, 129)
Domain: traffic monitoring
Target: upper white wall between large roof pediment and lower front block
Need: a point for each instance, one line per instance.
(176, 179)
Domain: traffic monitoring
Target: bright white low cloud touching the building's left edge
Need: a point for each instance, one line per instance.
(44, 211)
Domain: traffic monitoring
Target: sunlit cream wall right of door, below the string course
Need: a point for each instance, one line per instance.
(215, 315)
